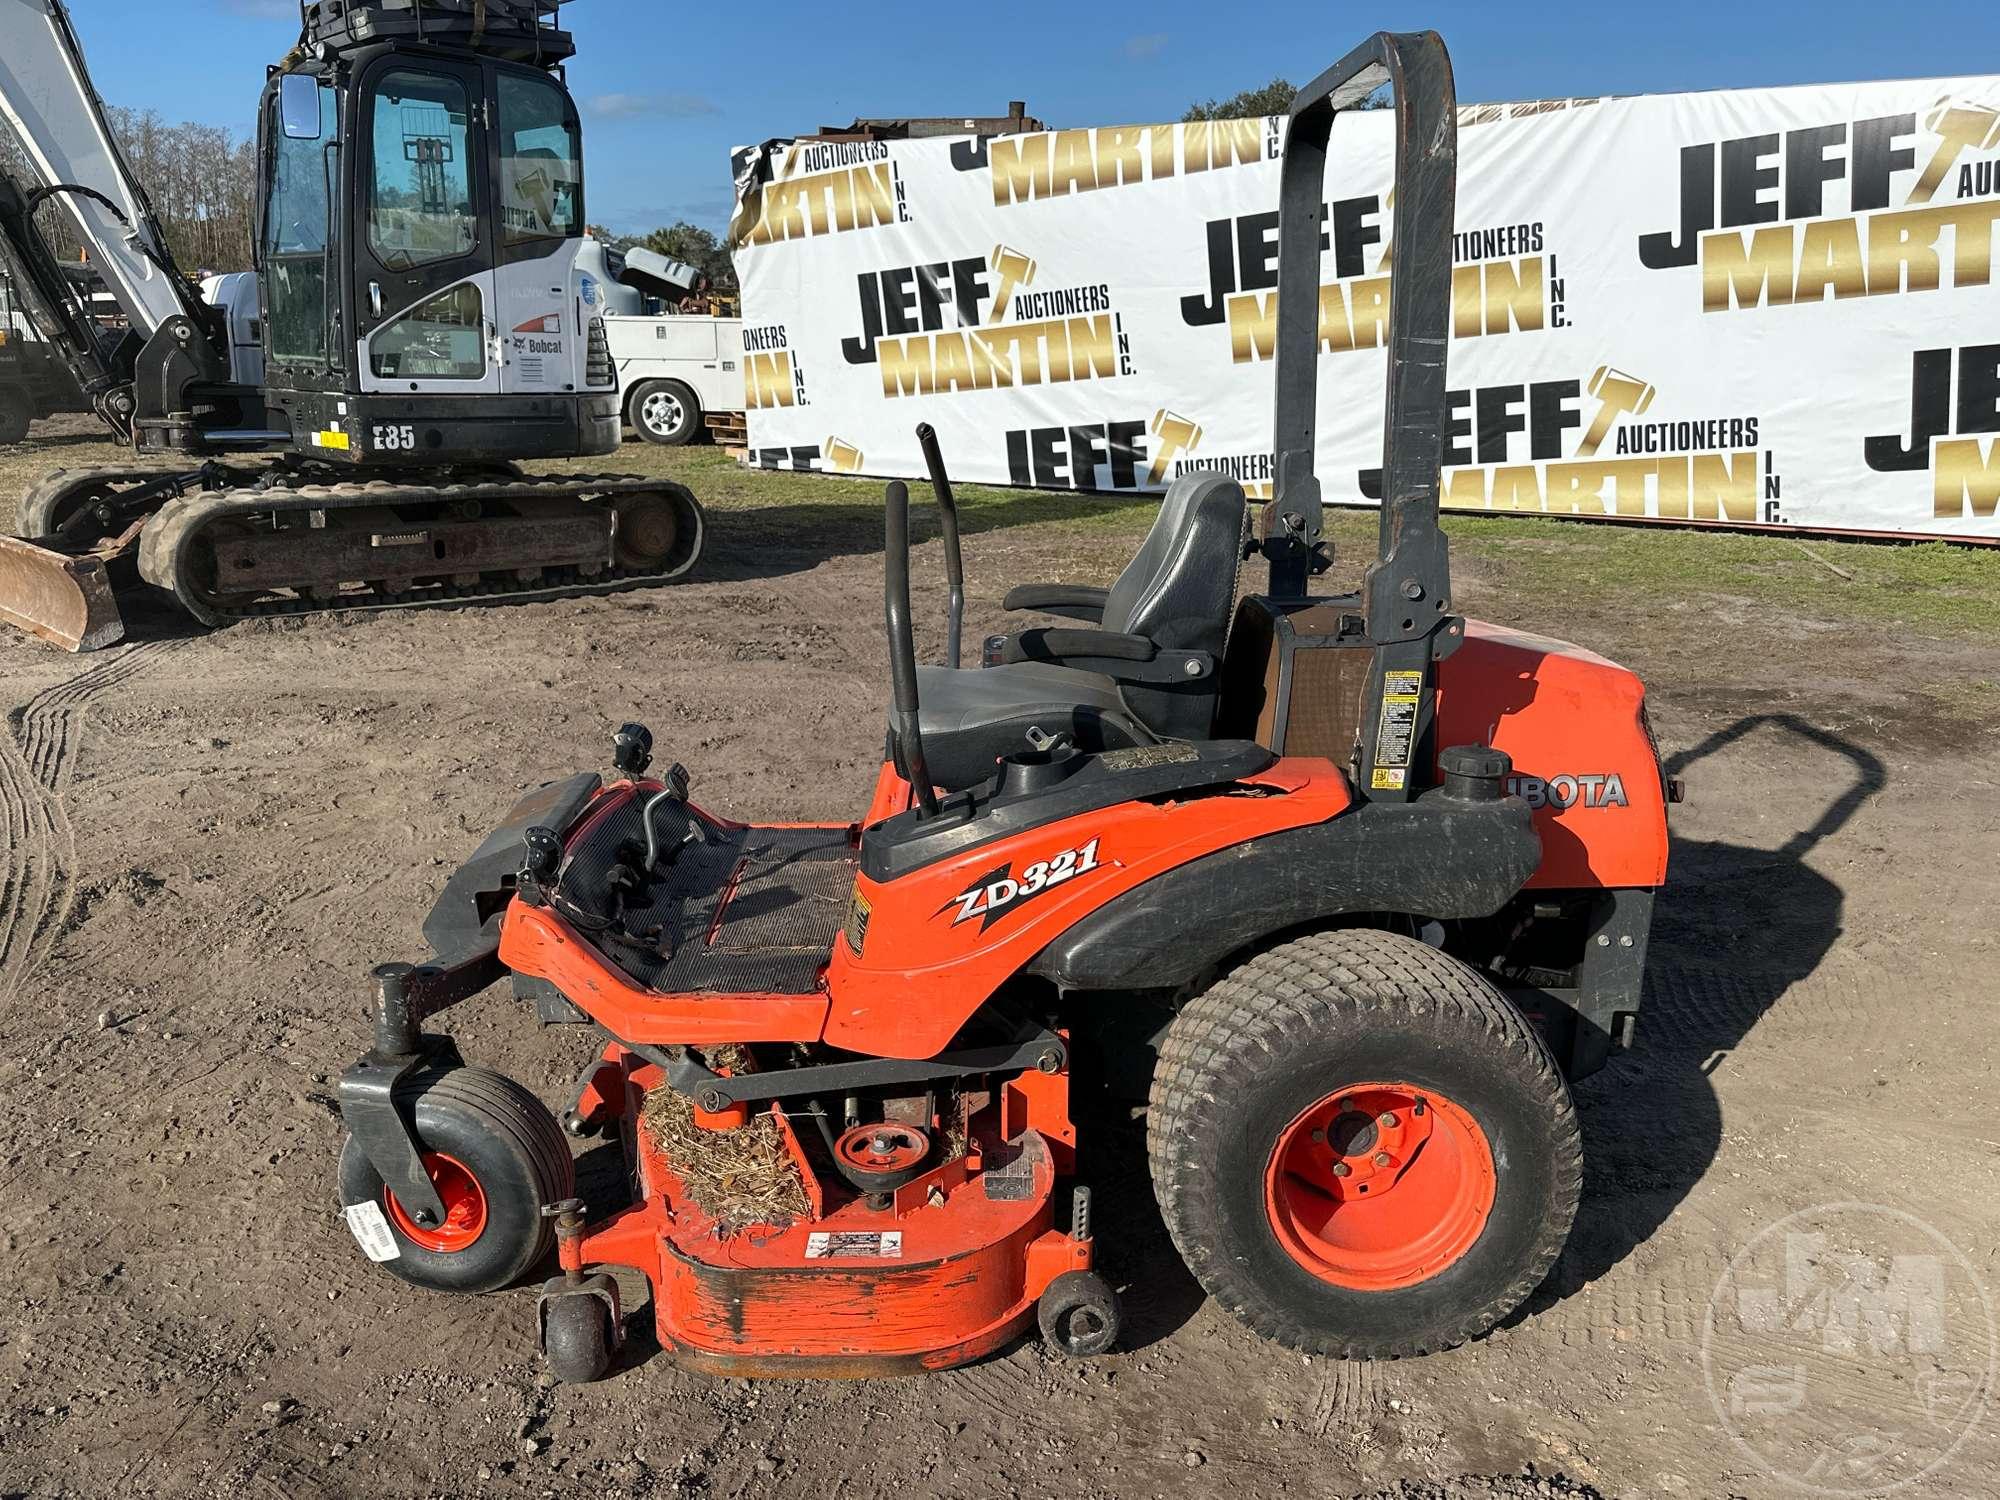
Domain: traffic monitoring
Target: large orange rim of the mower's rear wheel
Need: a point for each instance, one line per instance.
(1379, 1187)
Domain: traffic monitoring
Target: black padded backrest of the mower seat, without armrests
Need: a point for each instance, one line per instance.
(1181, 585)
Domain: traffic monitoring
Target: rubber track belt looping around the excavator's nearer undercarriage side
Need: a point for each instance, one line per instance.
(169, 537)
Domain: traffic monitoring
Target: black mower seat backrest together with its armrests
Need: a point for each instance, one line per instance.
(1161, 627)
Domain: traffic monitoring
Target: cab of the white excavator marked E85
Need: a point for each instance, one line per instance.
(423, 203)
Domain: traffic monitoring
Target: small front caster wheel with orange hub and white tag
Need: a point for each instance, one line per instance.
(495, 1155)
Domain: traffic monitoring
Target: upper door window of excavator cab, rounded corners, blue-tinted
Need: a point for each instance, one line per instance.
(421, 203)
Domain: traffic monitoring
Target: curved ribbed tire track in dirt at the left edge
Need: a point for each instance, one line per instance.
(41, 851)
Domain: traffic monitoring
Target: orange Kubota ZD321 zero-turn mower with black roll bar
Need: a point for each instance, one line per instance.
(1373, 879)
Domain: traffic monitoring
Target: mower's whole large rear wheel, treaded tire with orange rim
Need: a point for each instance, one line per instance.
(1263, 1073)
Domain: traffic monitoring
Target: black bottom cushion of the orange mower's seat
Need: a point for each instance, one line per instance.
(975, 717)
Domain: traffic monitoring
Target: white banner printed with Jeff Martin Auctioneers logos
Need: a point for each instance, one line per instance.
(1763, 307)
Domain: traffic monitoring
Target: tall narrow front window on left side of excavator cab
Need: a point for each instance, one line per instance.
(297, 223)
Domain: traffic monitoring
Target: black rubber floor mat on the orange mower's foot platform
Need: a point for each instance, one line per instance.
(741, 911)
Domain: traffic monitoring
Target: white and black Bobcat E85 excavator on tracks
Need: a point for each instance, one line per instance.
(349, 419)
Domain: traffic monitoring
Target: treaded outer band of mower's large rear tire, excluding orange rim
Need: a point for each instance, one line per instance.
(1347, 981)
